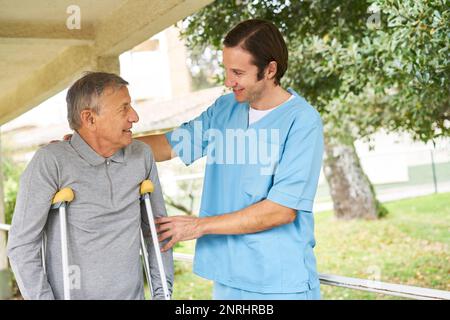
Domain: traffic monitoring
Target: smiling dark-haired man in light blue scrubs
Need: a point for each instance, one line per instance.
(264, 145)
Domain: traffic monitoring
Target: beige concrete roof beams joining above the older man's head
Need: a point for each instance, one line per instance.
(94, 47)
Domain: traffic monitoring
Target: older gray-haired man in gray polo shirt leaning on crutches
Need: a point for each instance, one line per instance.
(104, 166)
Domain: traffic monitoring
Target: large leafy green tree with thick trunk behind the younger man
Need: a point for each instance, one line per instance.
(341, 58)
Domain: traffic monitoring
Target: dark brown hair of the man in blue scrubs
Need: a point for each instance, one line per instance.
(263, 41)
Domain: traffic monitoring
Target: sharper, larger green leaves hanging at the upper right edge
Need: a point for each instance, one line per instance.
(409, 64)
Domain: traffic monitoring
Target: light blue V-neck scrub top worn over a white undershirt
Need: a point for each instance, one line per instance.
(277, 158)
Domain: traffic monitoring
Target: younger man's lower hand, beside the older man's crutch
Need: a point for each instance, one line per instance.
(178, 228)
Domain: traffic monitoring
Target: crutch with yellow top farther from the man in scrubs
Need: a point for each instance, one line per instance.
(60, 201)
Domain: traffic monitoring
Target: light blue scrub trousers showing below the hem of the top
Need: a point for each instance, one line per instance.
(223, 292)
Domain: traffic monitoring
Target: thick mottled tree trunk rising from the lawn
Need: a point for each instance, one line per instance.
(352, 193)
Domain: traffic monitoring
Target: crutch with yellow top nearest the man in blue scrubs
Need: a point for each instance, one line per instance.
(146, 189)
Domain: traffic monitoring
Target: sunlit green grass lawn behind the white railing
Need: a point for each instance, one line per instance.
(410, 246)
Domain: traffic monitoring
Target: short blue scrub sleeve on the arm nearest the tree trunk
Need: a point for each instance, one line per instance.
(297, 174)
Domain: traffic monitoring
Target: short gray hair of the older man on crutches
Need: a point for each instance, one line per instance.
(86, 91)
